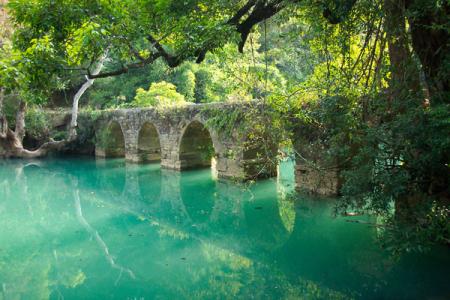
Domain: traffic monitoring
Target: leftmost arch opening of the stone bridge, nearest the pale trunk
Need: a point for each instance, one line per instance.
(111, 141)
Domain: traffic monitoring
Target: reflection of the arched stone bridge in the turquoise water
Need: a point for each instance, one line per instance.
(217, 207)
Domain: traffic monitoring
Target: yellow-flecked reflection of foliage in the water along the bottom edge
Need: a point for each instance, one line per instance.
(212, 271)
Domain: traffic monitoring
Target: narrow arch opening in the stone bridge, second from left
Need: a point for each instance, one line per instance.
(149, 147)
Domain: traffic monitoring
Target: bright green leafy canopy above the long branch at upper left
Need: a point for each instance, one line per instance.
(57, 41)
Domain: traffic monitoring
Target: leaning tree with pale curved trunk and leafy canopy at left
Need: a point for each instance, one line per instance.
(55, 42)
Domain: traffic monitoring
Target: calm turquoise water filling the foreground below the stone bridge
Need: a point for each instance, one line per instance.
(86, 229)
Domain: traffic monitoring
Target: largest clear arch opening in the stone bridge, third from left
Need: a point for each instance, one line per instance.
(196, 147)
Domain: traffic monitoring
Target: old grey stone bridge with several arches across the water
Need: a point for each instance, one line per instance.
(182, 138)
